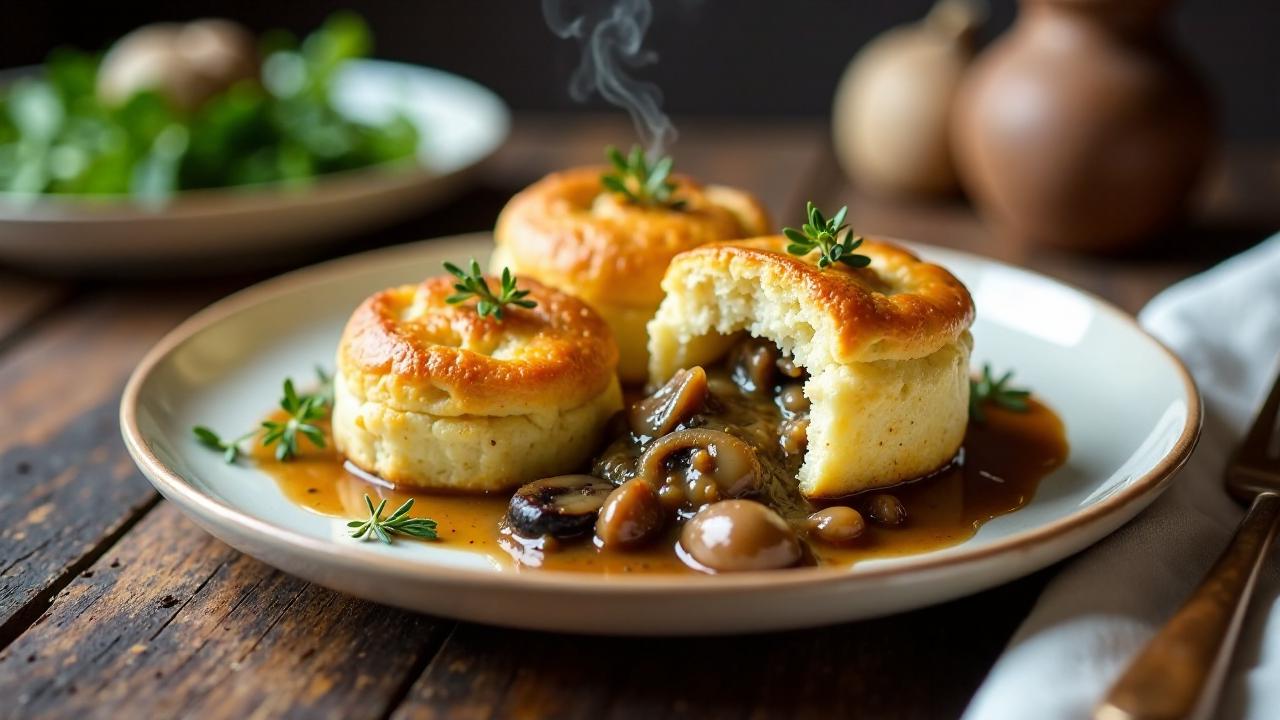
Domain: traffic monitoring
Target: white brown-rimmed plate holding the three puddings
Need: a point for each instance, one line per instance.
(1132, 417)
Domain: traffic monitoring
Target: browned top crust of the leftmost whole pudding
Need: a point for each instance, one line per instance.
(409, 348)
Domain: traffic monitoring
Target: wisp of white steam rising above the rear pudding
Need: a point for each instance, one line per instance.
(612, 35)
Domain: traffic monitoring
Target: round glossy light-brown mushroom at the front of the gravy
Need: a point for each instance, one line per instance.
(739, 535)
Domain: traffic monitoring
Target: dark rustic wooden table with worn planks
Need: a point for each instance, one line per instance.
(112, 601)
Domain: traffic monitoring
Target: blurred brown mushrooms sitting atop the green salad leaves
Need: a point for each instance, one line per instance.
(186, 63)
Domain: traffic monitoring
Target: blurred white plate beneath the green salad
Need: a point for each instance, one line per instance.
(461, 125)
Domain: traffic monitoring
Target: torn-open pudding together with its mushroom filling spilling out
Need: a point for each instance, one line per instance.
(781, 381)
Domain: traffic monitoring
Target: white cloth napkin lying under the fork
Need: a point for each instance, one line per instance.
(1108, 603)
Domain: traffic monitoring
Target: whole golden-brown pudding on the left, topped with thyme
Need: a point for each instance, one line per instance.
(435, 395)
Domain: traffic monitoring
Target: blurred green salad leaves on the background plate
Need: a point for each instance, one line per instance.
(57, 138)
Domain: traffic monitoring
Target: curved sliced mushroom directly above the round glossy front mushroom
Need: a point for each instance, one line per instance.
(703, 453)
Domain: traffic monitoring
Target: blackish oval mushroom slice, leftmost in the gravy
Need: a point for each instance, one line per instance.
(563, 507)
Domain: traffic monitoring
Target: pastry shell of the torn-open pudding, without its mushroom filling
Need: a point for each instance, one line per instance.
(883, 352)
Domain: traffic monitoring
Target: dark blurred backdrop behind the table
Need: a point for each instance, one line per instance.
(769, 58)
